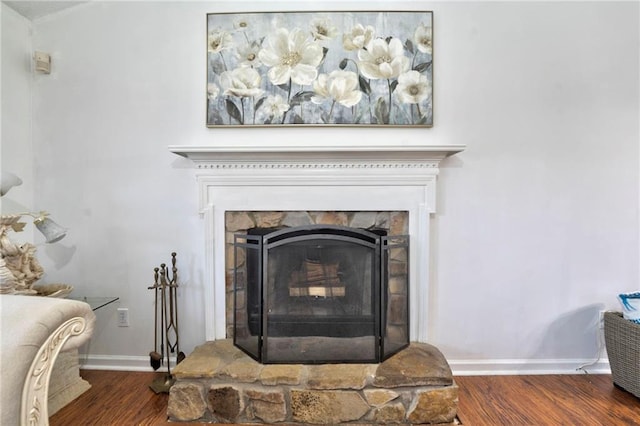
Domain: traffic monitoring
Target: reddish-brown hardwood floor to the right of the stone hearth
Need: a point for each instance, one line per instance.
(545, 400)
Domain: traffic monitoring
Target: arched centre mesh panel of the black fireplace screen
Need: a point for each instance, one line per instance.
(320, 301)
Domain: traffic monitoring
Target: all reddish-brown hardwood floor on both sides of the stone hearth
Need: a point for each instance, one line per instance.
(124, 398)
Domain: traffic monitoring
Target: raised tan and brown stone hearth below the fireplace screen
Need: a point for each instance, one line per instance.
(218, 383)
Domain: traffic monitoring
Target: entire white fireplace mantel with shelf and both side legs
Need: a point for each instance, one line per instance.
(316, 178)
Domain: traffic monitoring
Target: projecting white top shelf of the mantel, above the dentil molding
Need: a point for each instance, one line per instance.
(280, 154)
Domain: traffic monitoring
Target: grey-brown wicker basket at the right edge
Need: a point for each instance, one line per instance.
(623, 346)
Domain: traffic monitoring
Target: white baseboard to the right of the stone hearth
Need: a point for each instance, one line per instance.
(498, 367)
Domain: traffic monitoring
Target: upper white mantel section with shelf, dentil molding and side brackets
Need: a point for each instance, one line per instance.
(316, 165)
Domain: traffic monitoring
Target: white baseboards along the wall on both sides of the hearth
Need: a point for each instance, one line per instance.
(467, 367)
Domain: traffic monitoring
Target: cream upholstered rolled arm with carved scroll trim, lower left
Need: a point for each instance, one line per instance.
(33, 332)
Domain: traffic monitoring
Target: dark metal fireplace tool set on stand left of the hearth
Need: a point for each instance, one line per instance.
(165, 289)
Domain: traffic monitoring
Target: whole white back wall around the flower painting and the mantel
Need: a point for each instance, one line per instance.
(537, 227)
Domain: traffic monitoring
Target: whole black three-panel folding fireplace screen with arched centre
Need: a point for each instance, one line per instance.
(320, 294)
